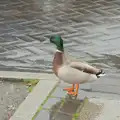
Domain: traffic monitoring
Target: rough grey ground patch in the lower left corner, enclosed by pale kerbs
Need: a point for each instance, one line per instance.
(12, 94)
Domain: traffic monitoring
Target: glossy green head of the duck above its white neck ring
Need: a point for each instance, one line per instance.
(57, 40)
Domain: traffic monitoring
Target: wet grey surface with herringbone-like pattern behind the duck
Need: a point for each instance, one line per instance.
(90, 29)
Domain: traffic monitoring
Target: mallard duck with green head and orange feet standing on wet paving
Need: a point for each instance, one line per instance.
(75, 73)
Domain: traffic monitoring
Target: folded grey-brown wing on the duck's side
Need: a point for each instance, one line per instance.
(85, 68)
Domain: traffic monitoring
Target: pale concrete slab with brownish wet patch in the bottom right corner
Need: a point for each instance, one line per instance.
(100, 109)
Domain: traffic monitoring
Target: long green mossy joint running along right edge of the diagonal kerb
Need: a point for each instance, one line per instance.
(41, 106)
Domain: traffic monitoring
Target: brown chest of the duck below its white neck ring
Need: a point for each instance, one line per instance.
(57, 62)
